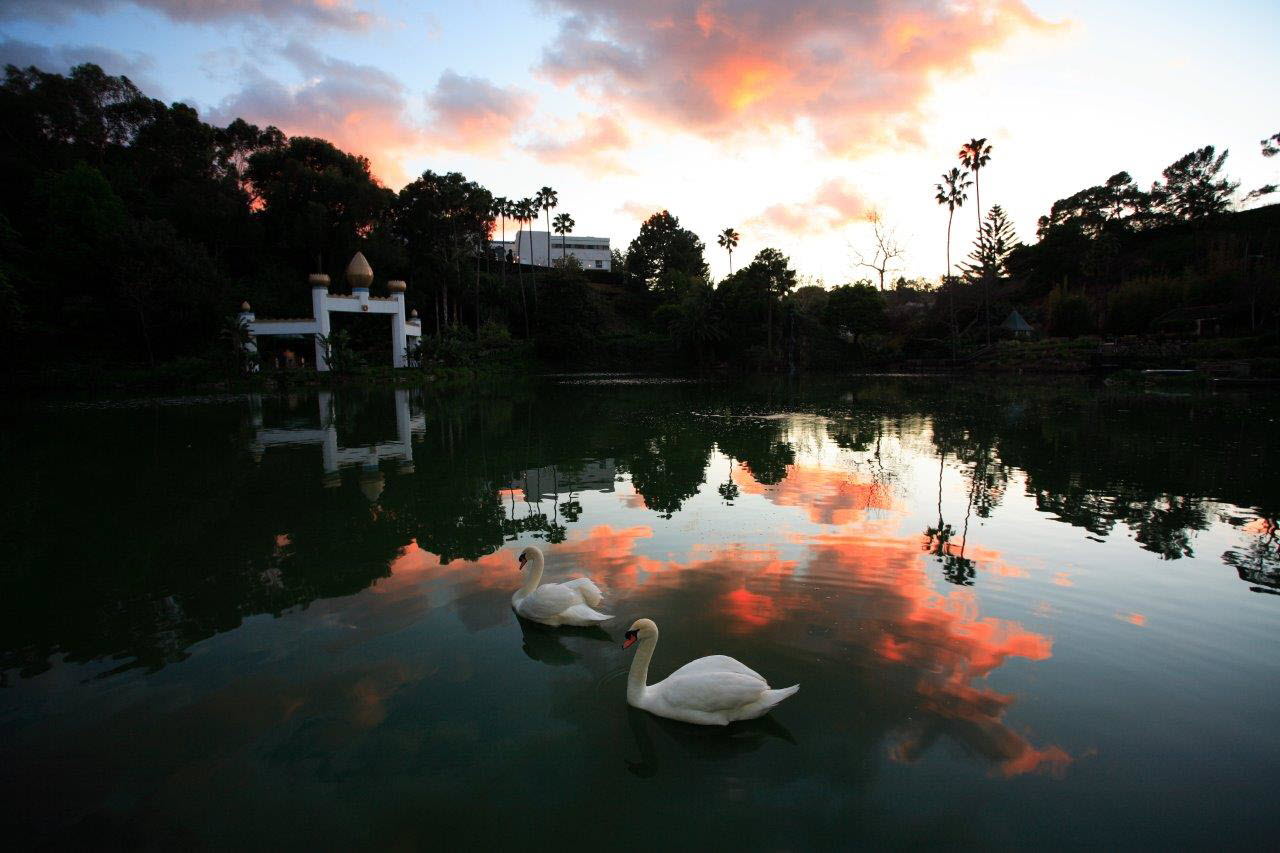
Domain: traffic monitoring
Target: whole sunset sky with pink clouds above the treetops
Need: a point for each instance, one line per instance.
(788, 121)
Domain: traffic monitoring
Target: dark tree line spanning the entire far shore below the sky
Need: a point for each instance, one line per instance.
(131, 231)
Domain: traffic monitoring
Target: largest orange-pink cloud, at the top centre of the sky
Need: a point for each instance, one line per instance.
(857, 71)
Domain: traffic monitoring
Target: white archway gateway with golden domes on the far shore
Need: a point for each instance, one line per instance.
(360, 276)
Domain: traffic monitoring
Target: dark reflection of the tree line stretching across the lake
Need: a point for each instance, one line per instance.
(184, 536)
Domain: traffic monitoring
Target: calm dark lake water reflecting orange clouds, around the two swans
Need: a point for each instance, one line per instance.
(1025, 615)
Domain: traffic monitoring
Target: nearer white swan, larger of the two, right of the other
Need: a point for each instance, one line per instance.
(712, 691)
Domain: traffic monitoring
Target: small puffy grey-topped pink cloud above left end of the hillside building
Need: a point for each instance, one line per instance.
(472, 113)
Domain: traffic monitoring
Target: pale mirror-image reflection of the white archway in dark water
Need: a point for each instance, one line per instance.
(335, 457)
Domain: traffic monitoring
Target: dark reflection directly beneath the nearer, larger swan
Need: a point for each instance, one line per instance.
(701, 743)
